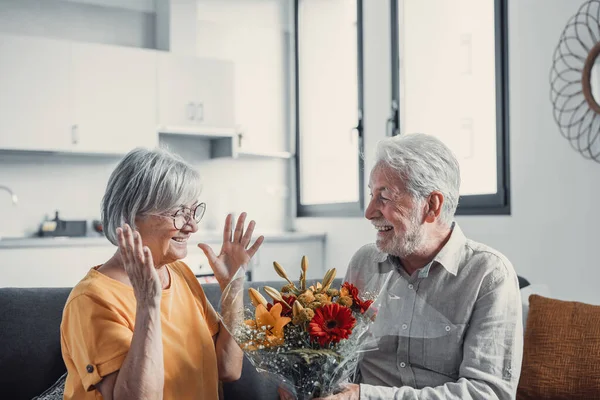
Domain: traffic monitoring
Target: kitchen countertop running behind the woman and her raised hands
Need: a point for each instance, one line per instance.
(90, 241)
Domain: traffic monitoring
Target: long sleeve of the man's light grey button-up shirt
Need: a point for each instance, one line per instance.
(493, 350)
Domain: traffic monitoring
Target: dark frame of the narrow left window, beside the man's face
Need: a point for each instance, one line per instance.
(354, 209)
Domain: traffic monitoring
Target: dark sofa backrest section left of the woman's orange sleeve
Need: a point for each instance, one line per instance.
(30, 357)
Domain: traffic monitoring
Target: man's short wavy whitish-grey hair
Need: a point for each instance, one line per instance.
(425, 164)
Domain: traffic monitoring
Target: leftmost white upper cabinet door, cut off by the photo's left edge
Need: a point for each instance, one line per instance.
(35, 102)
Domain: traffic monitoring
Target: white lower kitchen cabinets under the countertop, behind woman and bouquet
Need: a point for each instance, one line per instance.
(64, 266)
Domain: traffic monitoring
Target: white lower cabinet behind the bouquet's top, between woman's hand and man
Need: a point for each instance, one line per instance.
(289, 255)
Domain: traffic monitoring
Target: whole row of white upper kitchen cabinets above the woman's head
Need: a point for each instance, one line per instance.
(89, 98)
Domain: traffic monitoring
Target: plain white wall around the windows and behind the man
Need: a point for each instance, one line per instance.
(551, 235)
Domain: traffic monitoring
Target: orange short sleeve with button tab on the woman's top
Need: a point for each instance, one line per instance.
(96, 338)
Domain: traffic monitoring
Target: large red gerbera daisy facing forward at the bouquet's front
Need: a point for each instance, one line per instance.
(331, 323)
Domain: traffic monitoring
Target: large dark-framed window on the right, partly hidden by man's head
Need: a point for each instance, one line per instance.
(453, 84)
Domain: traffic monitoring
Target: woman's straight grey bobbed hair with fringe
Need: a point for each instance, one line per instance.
(147, 181)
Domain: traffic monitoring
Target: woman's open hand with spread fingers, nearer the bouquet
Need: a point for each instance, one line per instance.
(234, 251)
